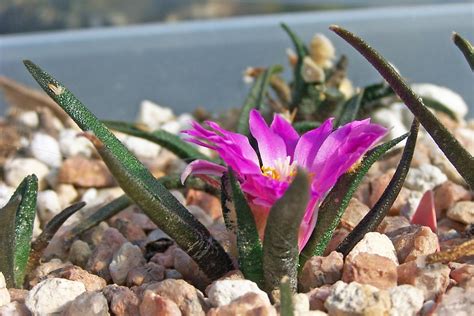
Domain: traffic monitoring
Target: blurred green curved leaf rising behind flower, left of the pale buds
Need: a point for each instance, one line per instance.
(255, 98)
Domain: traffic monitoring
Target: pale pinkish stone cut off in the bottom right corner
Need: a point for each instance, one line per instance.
(457, 301)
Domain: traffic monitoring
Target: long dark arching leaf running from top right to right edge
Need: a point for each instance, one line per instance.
(454, 151)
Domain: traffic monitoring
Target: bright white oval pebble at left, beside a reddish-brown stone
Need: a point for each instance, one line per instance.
(45, 148)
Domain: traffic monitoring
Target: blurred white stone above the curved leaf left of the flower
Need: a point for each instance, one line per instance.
(153, 115)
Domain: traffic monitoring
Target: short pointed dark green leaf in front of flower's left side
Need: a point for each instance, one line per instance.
(248, 241)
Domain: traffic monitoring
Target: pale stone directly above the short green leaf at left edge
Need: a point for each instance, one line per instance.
(16, 169)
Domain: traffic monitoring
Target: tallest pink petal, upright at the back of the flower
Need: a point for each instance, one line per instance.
(270, 145)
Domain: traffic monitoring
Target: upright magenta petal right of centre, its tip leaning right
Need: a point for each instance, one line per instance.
(310, 142)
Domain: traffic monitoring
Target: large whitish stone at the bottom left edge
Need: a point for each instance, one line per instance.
(52, 296)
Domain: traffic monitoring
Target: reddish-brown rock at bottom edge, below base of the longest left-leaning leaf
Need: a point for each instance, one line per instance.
(122, 301)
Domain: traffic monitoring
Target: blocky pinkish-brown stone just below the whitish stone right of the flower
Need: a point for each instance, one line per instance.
(372, 269)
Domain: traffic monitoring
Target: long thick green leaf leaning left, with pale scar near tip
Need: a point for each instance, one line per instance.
(139, 184)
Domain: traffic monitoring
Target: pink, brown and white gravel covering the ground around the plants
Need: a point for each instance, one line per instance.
(127, 266)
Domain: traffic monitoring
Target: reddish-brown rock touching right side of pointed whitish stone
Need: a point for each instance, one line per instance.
(413, 241)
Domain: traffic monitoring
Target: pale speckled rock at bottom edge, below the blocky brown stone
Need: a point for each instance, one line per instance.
(357, 299)
